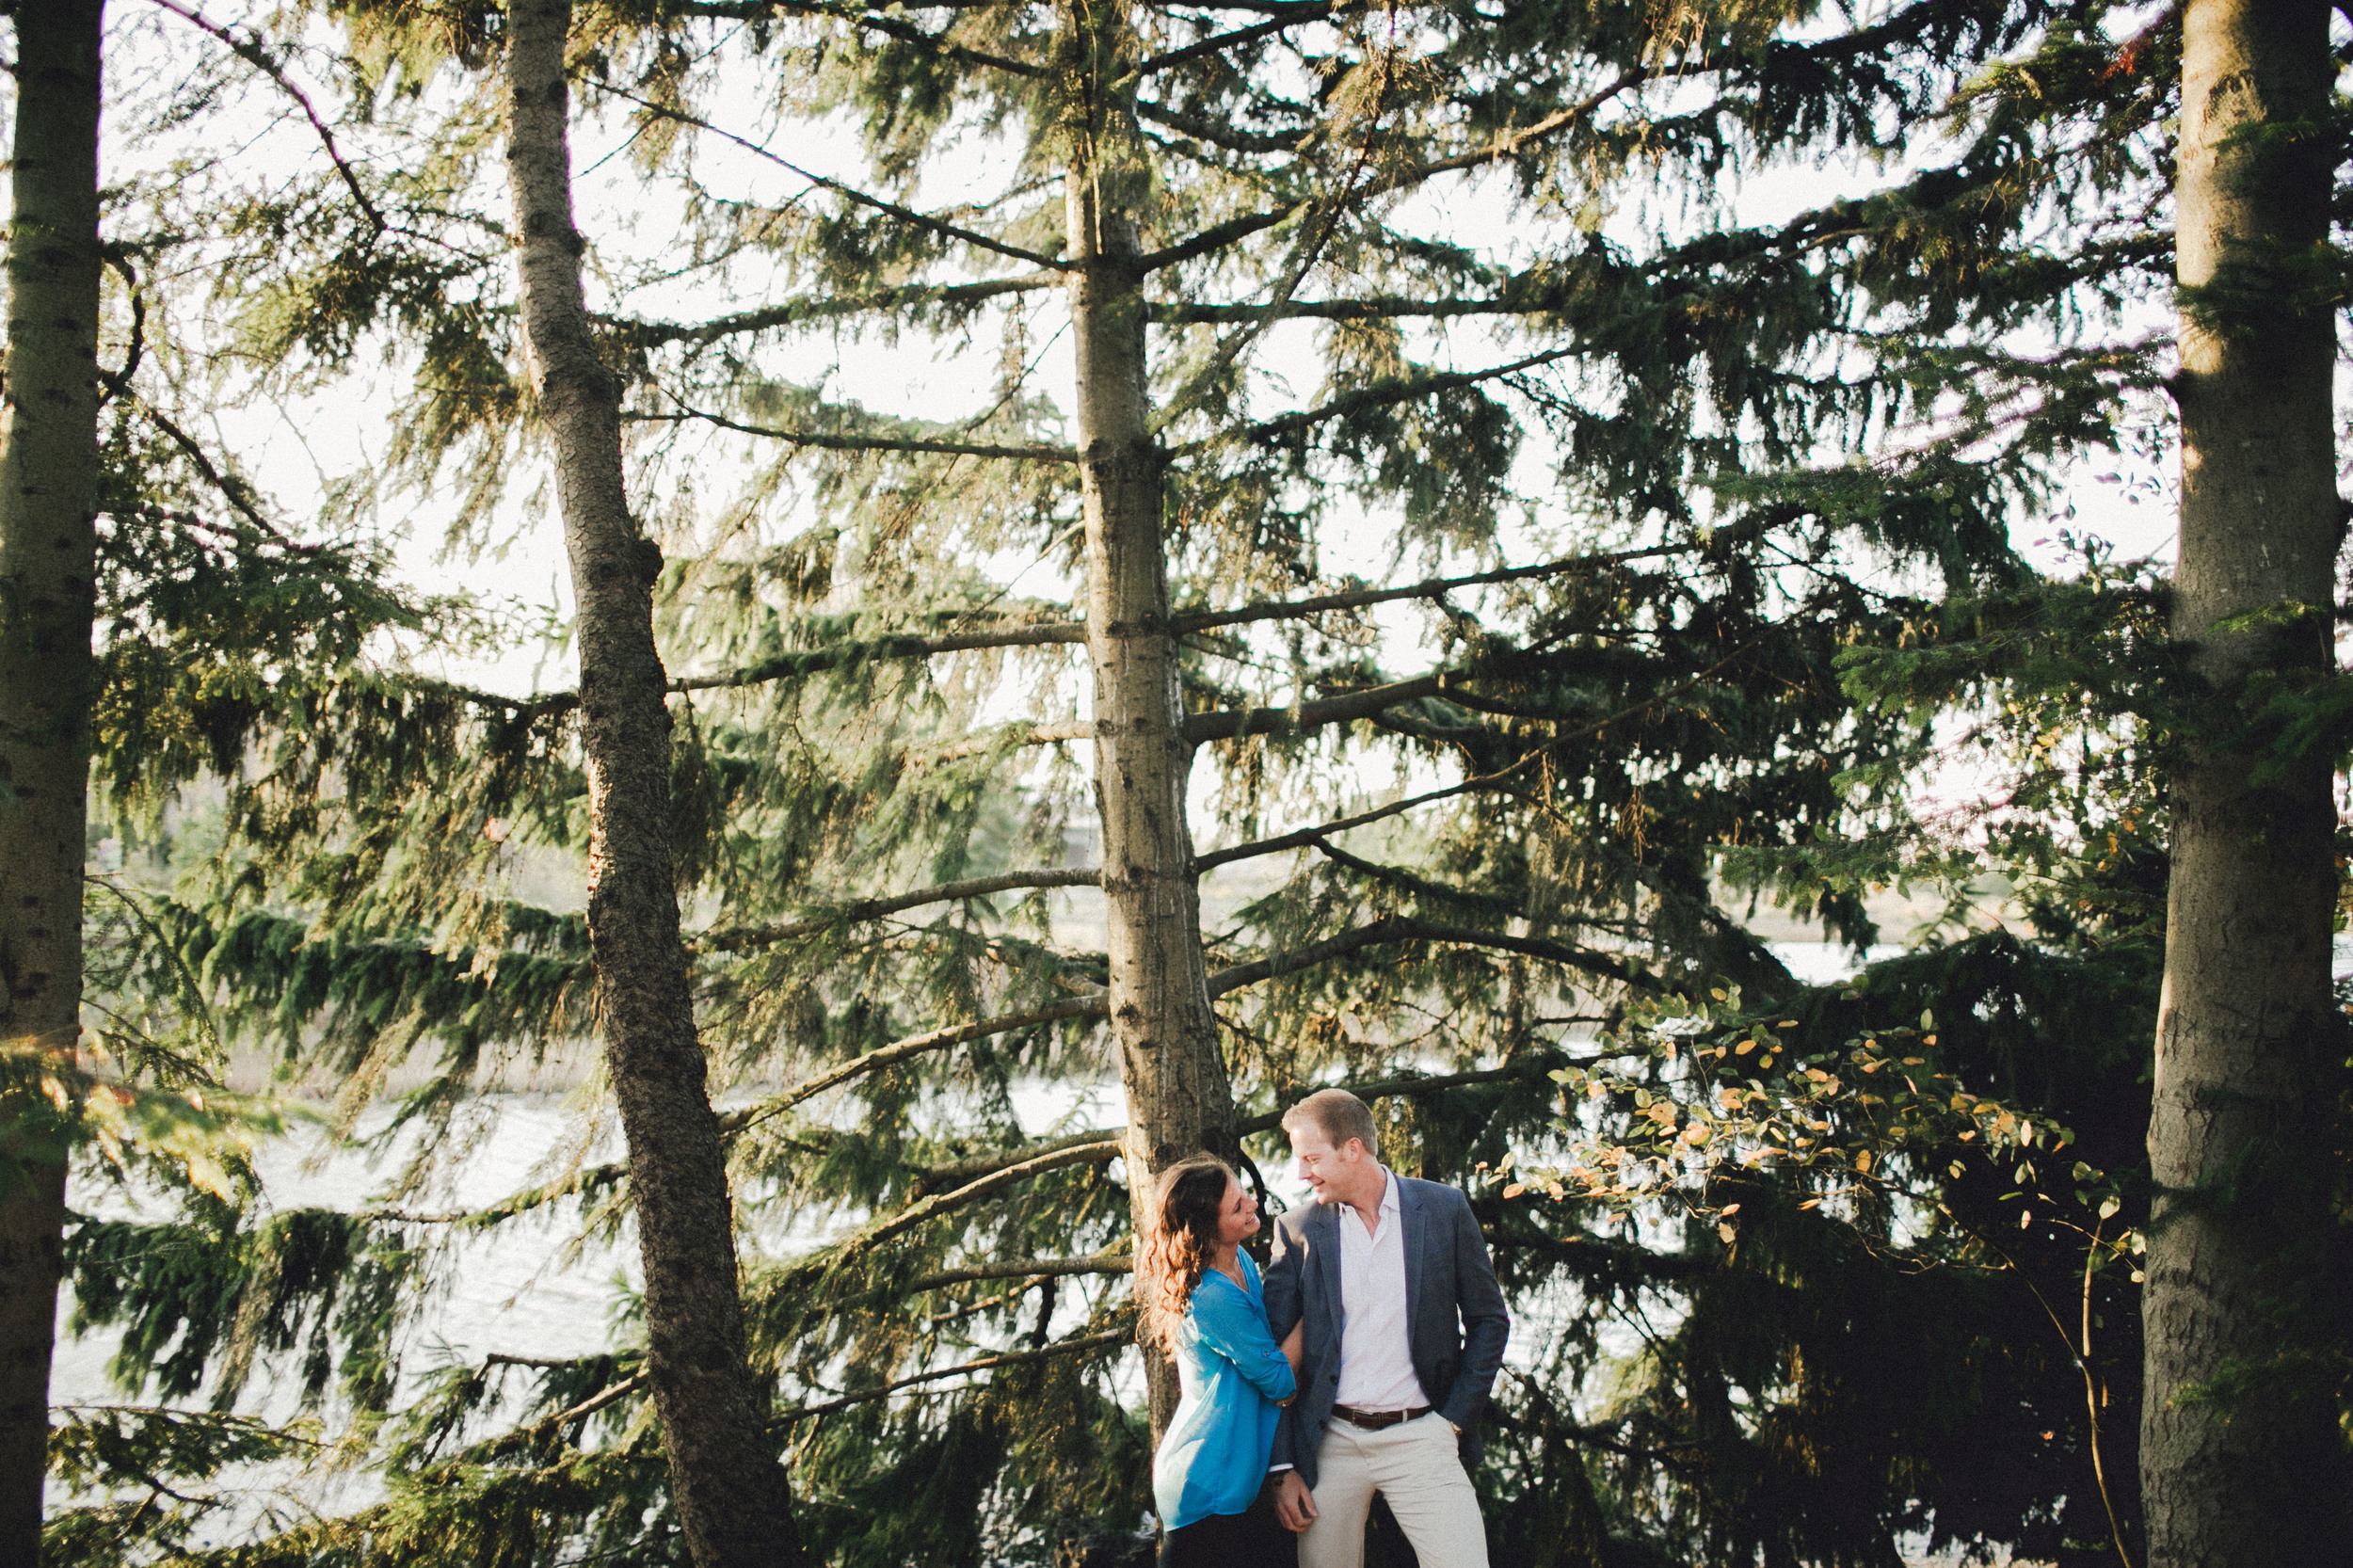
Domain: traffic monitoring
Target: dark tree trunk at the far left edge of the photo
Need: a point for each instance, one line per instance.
(48, 566)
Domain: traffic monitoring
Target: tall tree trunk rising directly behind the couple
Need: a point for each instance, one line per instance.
(1178, 1094)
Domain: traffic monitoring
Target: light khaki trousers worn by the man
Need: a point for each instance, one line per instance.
(1422, 1475)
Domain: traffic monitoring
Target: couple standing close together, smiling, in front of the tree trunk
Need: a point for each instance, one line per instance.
(1357, 1367)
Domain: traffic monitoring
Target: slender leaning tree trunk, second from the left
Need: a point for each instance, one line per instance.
(731, 1494)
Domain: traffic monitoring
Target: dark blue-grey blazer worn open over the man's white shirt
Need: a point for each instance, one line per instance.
(1453, 1305)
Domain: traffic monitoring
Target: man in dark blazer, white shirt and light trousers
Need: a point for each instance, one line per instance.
(1404, 1334)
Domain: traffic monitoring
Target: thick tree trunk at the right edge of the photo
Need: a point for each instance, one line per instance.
(2241, 1463)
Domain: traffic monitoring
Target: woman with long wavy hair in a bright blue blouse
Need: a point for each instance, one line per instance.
(1206, 1308)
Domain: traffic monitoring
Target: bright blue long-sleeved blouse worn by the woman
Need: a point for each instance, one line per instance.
(1213, 1459)
